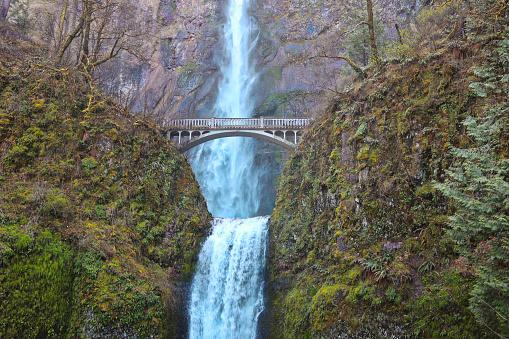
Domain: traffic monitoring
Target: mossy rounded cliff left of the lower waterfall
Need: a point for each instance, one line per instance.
(100, 218)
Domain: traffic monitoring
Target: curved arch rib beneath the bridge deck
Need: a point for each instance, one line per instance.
(267, 136)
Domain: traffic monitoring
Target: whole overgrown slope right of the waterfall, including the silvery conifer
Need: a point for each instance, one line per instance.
(391, 217)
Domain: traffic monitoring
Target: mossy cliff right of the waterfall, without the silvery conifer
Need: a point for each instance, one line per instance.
(358, 245)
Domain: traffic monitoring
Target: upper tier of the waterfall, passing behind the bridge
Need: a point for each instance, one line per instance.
(224, 167)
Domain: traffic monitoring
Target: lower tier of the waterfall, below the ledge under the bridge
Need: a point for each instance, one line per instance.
(227, 294)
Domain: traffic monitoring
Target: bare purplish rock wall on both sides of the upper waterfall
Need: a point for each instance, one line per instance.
(180, 79)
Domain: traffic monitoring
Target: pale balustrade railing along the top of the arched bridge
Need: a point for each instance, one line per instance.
(238, 123)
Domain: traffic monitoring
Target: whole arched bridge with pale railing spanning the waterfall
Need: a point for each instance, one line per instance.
(189, 133)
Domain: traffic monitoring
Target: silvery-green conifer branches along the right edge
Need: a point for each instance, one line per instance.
(478, 184)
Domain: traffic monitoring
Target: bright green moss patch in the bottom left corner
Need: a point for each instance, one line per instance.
(35, 289)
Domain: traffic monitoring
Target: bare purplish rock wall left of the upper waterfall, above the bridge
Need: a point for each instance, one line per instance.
(180, 77)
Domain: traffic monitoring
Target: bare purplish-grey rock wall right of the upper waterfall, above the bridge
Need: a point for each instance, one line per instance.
(295, 79)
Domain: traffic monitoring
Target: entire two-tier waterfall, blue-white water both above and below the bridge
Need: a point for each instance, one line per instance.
(227, 290)
